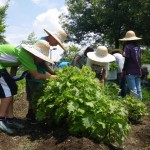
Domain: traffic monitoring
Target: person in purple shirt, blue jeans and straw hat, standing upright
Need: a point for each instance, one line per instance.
(132, 66)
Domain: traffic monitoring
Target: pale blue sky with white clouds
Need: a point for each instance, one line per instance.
(27, 16)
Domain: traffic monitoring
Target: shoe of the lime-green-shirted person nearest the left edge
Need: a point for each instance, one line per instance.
(5, 127)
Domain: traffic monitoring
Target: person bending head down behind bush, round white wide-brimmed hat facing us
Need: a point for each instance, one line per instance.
(99, 62)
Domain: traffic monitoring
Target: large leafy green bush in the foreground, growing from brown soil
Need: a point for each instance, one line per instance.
(76, 99)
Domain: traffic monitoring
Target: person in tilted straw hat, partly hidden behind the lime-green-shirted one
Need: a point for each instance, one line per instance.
(54, 38)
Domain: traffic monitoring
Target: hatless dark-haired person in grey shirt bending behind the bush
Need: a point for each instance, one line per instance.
(80, 57)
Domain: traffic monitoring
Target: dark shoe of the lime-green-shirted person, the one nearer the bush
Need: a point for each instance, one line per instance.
(15, 123)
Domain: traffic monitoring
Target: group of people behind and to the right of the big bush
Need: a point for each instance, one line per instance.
(129, 64)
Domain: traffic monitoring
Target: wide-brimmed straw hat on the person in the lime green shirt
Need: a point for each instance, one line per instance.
(40, 49)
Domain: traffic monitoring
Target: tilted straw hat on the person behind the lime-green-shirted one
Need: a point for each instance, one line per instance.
(60, 36)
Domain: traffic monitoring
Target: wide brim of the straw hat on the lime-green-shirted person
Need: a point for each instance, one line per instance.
(33, 51)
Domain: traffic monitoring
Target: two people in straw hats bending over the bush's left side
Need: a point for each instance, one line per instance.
(33, 59)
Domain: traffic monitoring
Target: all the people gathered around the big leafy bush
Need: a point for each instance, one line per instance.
(34, 59)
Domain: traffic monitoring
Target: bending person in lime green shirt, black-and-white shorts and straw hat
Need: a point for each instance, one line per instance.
(25, 55)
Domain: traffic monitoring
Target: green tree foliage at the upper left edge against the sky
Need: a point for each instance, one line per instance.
(2, 23)
